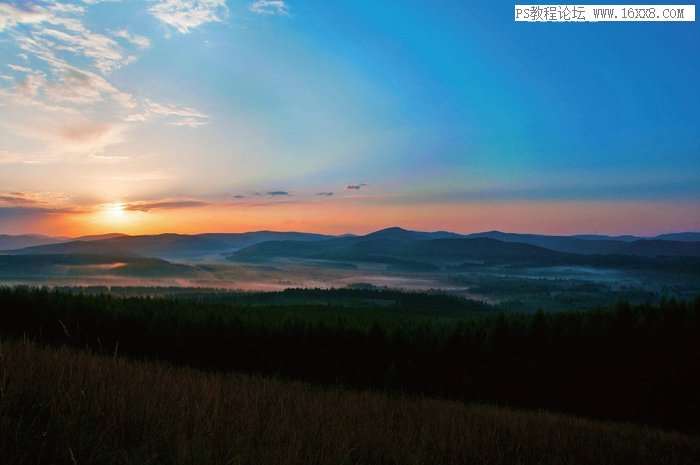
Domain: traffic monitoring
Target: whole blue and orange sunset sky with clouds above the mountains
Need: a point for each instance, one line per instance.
(342, 116)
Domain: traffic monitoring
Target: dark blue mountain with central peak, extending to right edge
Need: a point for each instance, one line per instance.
(418, 251)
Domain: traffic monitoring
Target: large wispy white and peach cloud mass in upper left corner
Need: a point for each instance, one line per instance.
(64, 69)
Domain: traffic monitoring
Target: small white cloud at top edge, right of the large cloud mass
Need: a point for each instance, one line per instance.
(185, 15)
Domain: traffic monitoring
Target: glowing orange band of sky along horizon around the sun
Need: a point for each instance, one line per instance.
(640, 218)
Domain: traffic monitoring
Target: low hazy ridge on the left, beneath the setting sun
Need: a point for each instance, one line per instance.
(166, 246)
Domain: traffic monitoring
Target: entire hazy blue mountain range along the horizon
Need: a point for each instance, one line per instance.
(396, 247)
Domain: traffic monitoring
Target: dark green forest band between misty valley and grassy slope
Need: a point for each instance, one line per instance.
(633, 363)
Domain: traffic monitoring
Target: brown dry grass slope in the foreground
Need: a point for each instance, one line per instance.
(59, 406)
